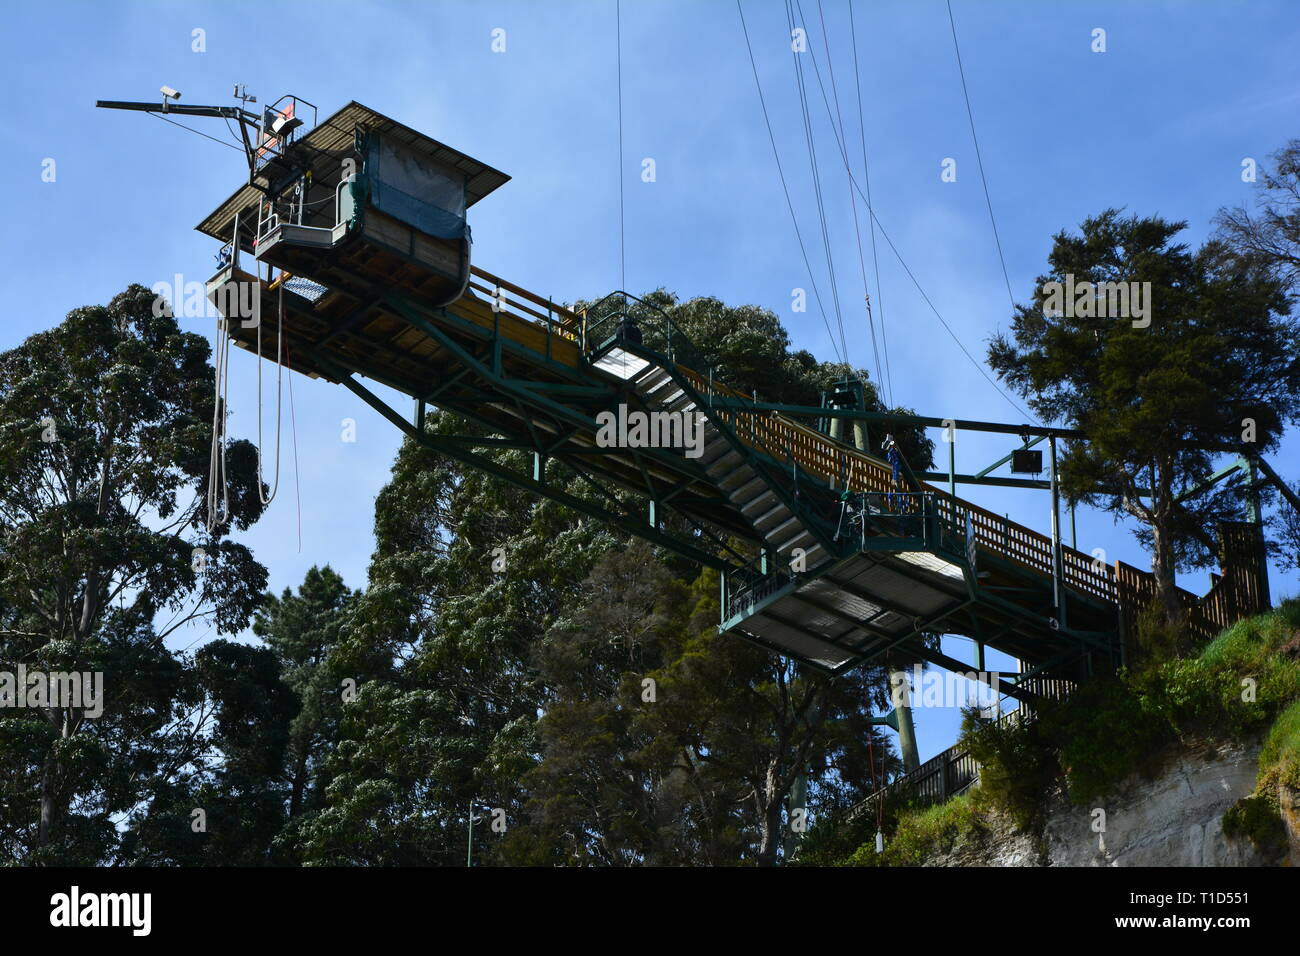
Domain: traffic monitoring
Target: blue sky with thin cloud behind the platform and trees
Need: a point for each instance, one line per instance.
(1159, 124)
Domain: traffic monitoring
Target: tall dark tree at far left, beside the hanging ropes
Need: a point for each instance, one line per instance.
(105, 440)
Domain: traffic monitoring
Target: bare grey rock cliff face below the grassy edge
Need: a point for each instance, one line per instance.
(1175, 820)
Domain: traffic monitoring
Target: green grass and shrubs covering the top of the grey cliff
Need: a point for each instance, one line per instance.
(1243, 685)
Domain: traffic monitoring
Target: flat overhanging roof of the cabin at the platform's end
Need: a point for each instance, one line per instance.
(331, 142)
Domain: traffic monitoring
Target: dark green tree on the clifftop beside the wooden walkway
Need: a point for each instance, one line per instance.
(1162, 400)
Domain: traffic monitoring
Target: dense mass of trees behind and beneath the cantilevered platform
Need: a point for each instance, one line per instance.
(523, 687)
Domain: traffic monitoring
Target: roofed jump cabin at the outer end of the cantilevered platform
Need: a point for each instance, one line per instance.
(336, 217)
